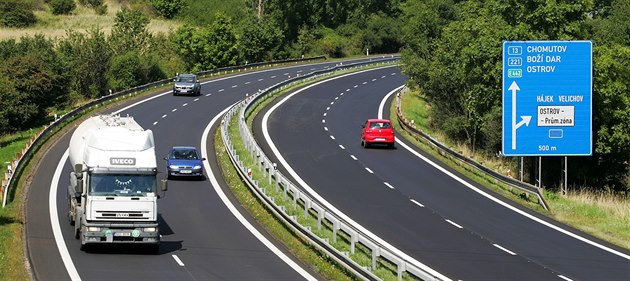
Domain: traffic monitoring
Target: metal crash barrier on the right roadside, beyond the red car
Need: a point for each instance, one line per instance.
(446, 151)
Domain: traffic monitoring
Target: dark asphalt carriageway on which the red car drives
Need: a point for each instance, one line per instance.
(409, 199)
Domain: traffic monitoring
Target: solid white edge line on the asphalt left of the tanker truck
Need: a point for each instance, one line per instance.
(54, 220)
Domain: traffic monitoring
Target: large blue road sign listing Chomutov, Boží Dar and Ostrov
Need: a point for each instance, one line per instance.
(547, 98)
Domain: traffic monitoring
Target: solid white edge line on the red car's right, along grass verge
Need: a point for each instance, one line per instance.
(496, 200)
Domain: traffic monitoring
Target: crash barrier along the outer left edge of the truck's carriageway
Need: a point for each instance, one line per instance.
(14, 167)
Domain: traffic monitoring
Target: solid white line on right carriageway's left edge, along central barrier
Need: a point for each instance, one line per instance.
(329, 206)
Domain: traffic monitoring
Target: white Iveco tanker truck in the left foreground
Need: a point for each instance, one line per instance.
(112, 196)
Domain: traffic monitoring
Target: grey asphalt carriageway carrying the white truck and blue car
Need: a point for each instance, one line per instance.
(205, 235)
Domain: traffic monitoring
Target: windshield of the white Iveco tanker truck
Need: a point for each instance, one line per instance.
(122, 185)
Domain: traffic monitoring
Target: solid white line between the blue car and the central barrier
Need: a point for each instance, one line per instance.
(232, 208)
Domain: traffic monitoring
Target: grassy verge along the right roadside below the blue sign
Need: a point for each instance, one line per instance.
(602, 215)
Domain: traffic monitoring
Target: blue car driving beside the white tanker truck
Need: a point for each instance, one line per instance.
(184, 161)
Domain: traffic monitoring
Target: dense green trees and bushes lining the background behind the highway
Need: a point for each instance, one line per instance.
(451, 51)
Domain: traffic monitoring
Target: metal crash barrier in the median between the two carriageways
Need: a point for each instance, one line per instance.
(302, 199)
